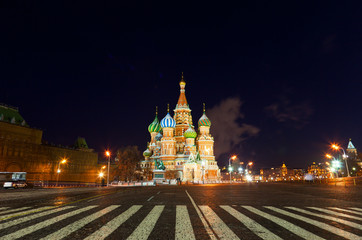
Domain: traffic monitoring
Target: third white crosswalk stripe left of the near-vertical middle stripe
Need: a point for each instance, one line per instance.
(65, 231)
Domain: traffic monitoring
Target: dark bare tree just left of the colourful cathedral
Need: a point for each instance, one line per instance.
(128, 163)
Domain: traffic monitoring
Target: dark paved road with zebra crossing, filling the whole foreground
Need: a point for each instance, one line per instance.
(248, 211)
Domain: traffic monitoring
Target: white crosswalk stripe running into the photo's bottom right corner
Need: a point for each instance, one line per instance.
(313, 222)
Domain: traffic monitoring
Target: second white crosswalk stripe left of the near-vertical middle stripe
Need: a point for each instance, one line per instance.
(112, 225)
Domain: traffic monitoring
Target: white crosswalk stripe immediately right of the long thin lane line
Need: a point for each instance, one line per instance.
(219, 227)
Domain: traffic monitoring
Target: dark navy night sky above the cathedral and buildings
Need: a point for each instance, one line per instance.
(291, 71)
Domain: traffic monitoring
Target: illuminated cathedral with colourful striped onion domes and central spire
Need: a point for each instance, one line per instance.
(177, 150)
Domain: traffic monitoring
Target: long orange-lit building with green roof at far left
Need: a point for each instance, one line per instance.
(22, 150)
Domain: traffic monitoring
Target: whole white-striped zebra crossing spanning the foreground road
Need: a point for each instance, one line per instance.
(188, 222)
